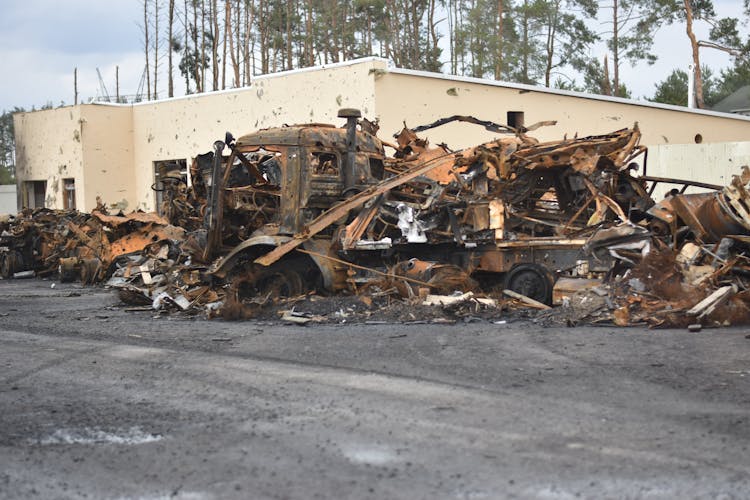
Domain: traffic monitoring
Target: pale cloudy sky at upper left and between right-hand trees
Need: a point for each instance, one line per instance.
(41, 41)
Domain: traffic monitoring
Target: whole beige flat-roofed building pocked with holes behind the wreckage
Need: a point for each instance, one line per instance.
(67, 157)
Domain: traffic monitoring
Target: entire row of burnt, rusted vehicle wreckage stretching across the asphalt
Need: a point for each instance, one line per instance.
(309, 208)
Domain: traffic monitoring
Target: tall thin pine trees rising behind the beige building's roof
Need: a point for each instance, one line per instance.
(218, 44)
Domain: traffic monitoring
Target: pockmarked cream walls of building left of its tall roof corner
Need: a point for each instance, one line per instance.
(117, 145)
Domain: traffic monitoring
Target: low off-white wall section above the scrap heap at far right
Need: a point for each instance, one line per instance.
(718, 163)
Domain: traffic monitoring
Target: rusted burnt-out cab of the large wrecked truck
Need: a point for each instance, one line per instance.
(305, 170)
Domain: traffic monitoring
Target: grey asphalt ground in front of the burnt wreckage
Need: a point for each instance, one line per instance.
(99, 402)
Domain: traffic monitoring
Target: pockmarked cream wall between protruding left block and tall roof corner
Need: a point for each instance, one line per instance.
(181, 128)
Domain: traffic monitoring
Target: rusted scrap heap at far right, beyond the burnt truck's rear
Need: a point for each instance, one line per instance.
(696, 269)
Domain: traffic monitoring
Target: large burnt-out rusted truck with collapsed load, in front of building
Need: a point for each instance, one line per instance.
(314, 206)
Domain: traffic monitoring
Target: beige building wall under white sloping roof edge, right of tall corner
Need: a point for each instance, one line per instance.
(421, 97)
